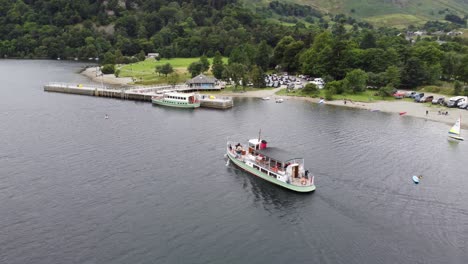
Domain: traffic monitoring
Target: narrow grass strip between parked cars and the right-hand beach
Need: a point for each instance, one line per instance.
(367, 96)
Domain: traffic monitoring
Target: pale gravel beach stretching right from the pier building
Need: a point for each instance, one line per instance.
(412, 109)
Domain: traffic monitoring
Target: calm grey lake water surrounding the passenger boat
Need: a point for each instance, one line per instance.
(150, 184)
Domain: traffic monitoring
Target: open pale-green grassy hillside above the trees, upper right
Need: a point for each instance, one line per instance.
(391, 12)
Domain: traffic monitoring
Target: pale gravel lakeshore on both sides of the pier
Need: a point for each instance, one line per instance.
(411, 108)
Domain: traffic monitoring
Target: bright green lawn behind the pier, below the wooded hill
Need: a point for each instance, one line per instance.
(144, 73)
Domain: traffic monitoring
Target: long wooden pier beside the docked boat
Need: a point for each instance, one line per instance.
(134, 93)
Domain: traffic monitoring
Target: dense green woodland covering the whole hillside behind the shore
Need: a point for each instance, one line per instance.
(338, 48)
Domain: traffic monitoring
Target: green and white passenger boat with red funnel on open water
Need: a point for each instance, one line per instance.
(271, 164)
